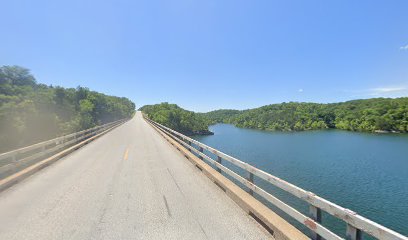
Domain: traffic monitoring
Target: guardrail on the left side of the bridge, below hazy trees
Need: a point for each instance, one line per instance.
(16, 160)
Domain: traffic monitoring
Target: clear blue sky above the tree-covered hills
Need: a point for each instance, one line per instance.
(212, 54)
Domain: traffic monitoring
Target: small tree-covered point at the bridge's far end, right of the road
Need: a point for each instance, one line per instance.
(177, 118)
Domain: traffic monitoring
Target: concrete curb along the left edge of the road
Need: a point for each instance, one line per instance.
(26, 172)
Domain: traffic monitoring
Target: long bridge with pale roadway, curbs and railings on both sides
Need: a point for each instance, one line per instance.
(137, 179)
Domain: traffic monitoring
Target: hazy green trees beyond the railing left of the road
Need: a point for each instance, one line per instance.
(31, 112)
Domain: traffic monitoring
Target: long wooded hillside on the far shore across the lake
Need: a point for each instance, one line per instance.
(370, 115)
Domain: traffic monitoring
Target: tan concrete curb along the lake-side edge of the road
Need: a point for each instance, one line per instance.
(276, 225)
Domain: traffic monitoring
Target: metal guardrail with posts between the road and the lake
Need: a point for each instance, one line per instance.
(356, 224)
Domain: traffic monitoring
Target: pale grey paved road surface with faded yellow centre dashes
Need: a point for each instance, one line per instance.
(128, 184)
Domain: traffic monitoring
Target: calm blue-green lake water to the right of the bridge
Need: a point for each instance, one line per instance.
(367, 173)
